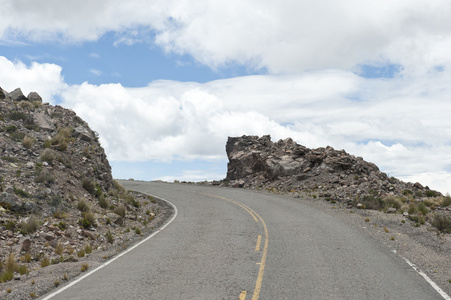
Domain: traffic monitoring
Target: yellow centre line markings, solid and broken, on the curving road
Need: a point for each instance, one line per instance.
(256, 216)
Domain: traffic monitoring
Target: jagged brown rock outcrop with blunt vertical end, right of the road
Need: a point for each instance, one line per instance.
(257, 162)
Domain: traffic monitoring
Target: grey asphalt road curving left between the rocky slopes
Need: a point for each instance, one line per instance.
(239, 244)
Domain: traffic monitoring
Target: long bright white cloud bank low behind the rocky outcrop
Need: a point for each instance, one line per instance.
(402, 128)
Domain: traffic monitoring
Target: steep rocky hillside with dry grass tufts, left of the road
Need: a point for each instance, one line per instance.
(58, 200)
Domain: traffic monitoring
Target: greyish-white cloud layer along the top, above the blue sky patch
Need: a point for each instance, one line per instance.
(296, 36)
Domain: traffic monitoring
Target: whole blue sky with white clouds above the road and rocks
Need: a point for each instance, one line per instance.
(165, 83)
